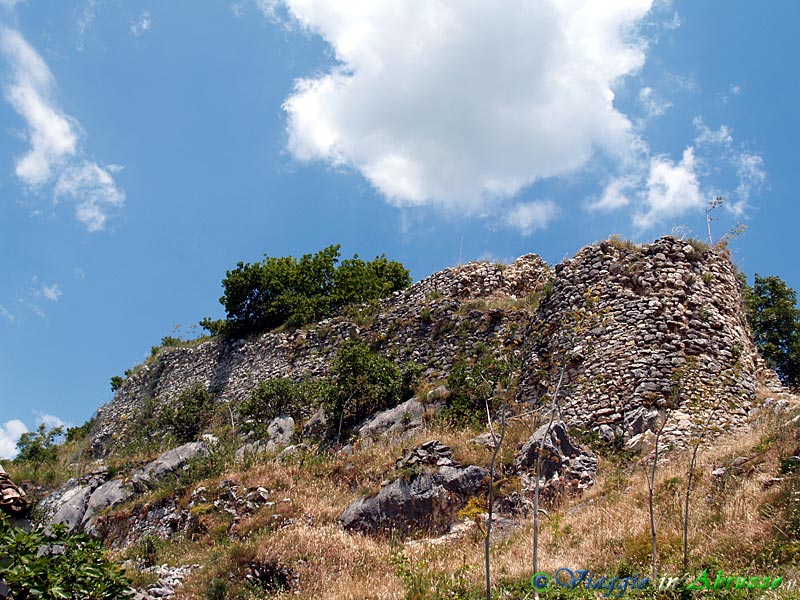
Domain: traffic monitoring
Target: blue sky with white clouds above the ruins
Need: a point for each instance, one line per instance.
(147, 147)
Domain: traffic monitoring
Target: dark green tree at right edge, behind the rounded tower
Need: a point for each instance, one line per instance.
(772, 306)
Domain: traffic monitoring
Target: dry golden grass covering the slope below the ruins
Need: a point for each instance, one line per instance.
(732, 523)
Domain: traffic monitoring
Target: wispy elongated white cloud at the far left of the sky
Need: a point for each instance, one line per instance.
(55, 156)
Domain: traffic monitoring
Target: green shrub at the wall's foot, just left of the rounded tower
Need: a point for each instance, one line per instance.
(471, 385)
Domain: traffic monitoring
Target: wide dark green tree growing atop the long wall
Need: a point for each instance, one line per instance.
(266, 294)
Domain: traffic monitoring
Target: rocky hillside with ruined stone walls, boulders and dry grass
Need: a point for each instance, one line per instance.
(625, 340)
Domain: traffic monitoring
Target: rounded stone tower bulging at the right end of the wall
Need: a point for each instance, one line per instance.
(636, 333)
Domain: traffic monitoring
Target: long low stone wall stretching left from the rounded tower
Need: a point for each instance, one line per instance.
(433, 324)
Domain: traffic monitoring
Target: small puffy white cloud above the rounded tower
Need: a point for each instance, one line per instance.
(672, 189)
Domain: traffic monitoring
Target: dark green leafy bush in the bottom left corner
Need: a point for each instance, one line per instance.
(57, 565)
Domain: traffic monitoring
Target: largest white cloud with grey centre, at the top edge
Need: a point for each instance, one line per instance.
(462, 104)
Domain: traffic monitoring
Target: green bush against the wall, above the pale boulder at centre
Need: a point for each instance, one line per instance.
(362, 382)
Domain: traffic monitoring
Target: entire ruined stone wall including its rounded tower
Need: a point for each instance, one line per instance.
(631, 332)
